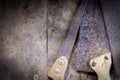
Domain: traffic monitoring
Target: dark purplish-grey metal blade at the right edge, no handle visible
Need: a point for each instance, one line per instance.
(111, 11)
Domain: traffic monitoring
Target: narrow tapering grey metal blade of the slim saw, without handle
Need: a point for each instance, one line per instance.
(68, 45)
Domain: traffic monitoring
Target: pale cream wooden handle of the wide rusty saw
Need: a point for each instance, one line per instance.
(101, 65)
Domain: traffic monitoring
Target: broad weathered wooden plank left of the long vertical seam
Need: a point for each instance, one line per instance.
(23, 40)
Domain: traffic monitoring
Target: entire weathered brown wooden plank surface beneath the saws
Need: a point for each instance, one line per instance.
(31, 33)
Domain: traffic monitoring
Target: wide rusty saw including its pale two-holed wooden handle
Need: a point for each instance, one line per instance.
(93, 46)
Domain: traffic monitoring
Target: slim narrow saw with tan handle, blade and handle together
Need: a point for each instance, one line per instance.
(58, 69)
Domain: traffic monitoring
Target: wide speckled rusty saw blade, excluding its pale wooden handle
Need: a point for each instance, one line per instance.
(92, 37)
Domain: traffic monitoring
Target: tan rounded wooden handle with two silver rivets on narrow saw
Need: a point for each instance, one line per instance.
(58, 69)
